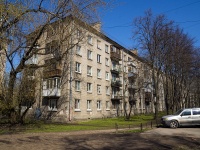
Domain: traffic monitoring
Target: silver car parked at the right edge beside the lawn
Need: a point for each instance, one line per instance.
(183, 117)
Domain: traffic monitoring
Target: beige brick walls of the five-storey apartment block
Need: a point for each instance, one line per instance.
(71, 103)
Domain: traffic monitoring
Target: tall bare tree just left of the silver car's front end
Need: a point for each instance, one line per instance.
(150, 35)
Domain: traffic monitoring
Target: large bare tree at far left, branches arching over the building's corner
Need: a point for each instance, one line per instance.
(25, 23)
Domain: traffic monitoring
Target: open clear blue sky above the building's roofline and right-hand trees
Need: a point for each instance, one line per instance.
(116, 20)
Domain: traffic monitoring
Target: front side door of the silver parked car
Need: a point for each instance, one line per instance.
(186, 117)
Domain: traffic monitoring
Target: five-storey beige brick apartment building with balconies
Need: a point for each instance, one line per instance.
(97, 77)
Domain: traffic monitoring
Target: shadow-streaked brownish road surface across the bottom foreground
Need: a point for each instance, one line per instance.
(156, 139)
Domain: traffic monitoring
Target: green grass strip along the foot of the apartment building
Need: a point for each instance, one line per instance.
(94, 124)
